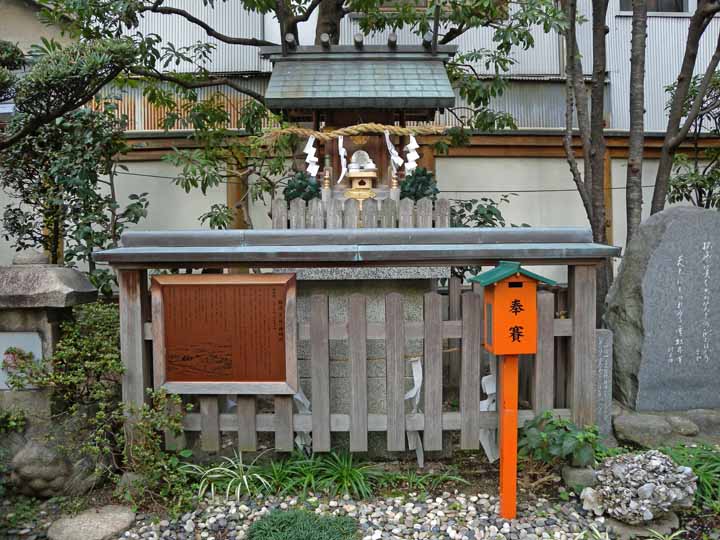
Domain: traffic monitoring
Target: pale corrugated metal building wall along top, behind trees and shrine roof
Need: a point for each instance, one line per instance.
(545, 61)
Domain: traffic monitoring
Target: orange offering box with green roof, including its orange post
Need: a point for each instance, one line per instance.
(510, 330)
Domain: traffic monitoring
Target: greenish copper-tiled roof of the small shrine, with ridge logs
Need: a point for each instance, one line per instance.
(374, 77)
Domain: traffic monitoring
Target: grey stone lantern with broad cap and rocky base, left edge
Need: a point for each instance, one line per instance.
(35, 297)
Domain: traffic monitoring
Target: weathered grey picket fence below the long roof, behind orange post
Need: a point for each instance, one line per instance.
(431, 421)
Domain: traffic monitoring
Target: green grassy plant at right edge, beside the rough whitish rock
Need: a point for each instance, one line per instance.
(704, 460)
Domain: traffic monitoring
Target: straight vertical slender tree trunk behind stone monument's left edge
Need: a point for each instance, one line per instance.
(633, 193)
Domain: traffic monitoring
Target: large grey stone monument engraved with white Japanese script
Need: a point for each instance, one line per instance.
(664, 311)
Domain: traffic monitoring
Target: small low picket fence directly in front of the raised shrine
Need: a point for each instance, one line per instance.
(350, 214)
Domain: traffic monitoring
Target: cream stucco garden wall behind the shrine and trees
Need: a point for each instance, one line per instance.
(546, 195)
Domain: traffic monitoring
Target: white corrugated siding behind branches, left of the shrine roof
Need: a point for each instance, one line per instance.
(227, 17)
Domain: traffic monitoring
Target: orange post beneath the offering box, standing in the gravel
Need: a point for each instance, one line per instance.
(507, 414)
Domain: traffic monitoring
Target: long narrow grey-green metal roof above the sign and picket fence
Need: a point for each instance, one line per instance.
(356, 247)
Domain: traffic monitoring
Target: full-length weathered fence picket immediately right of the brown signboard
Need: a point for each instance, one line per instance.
(320, 365)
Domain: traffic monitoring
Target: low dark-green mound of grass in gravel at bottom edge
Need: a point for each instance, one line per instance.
(300, 525)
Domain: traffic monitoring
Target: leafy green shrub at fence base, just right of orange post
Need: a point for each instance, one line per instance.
(554, 440)
